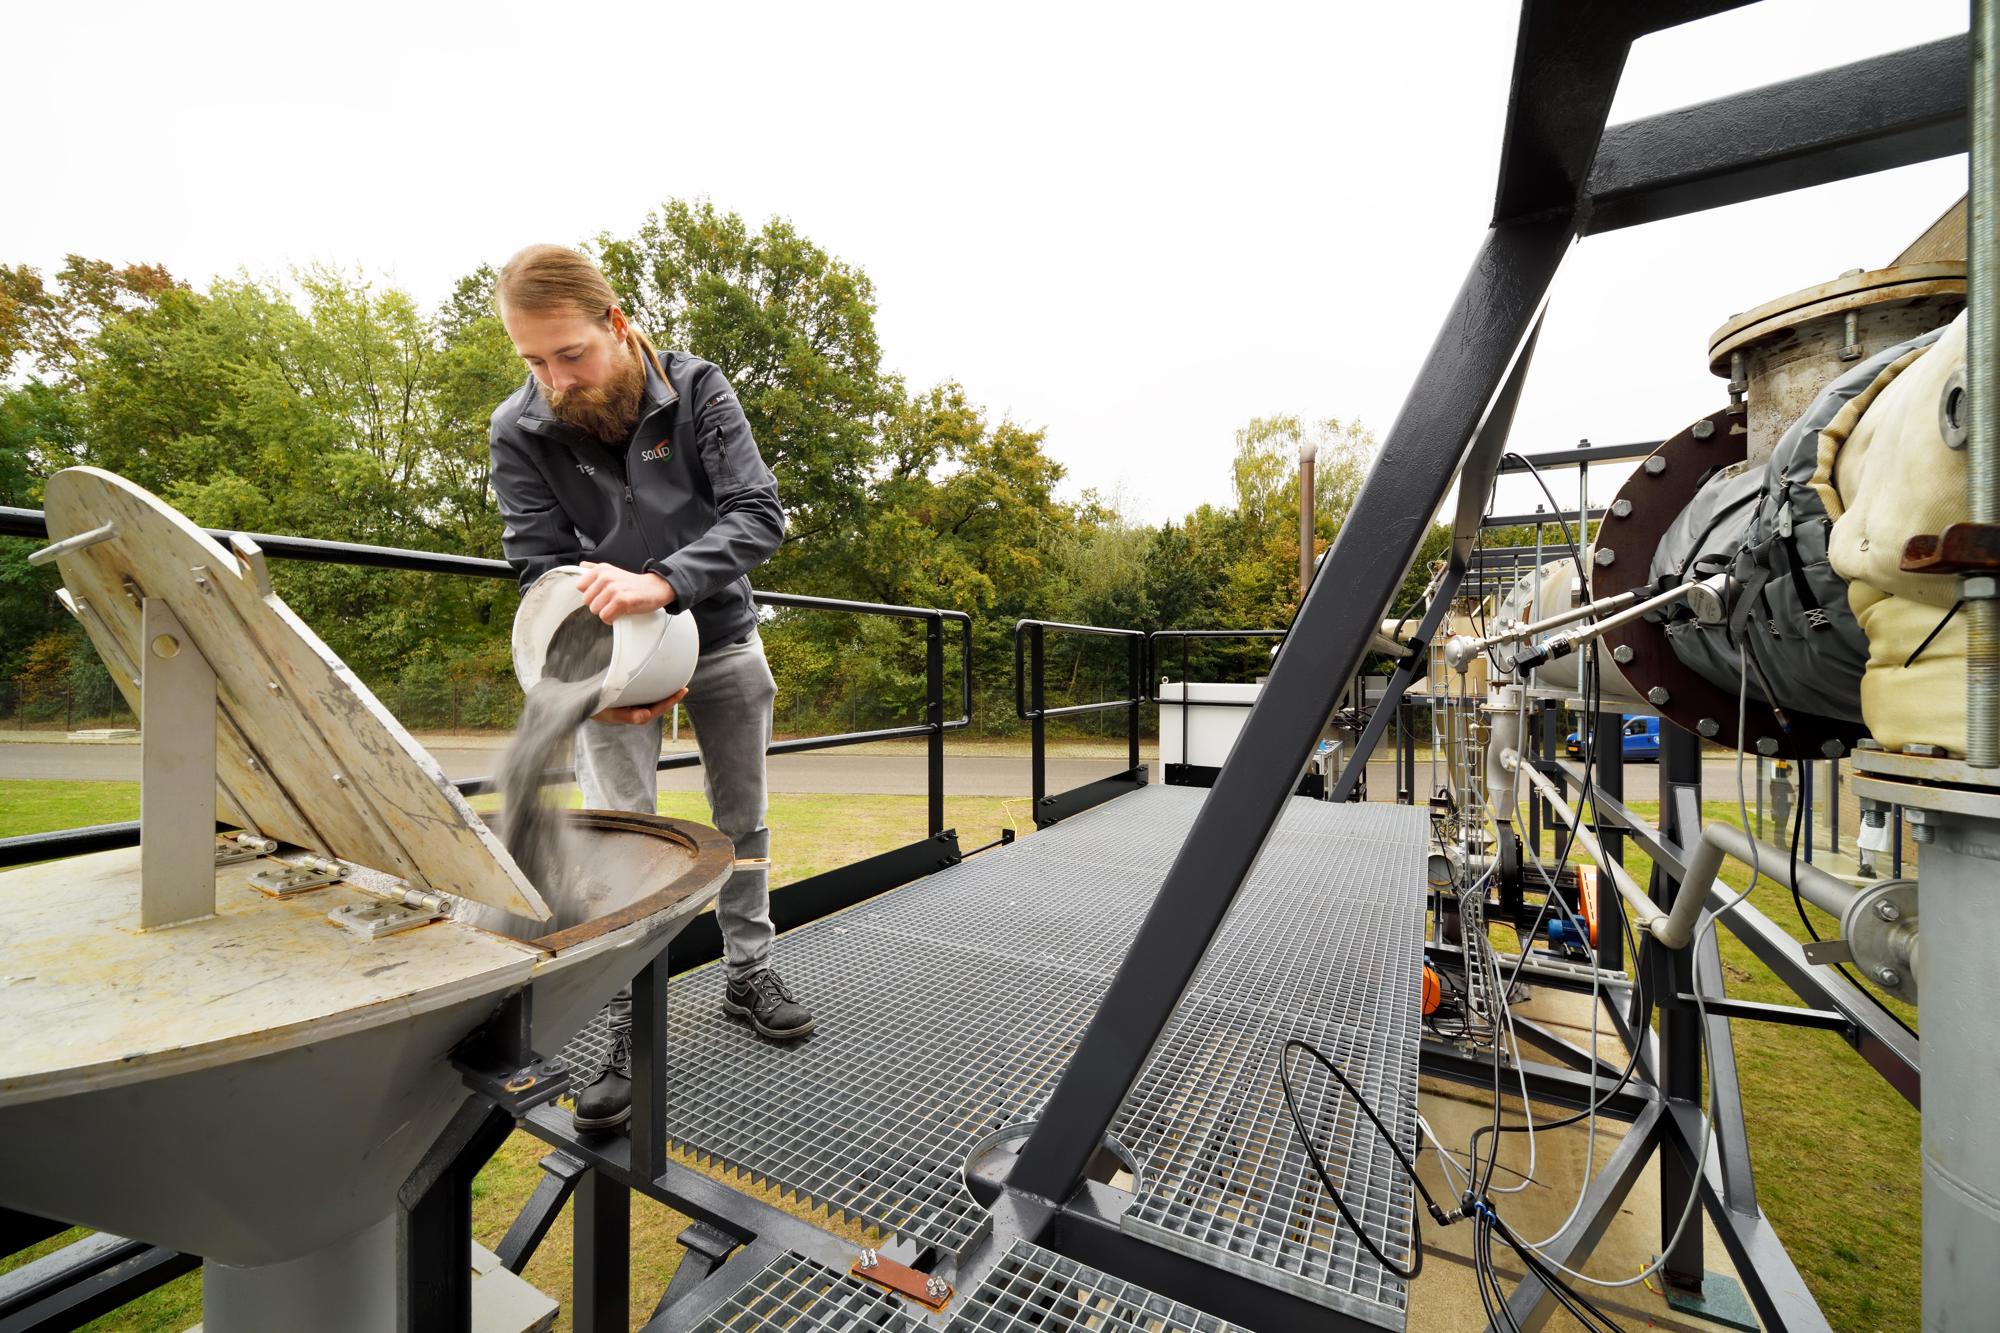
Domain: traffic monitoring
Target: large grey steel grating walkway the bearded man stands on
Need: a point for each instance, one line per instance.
(949, 1010)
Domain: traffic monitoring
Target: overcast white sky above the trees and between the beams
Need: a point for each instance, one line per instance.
(1135, 227)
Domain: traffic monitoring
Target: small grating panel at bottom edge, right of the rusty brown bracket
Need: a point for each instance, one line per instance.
(1037, 1292)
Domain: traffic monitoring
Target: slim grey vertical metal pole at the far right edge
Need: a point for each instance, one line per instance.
(1983, 383)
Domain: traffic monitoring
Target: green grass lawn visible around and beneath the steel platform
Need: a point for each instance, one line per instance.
(1835, 1150)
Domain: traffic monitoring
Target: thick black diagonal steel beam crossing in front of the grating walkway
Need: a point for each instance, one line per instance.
(1407, 483)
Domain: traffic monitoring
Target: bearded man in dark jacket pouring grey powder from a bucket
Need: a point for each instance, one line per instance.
(639, 465)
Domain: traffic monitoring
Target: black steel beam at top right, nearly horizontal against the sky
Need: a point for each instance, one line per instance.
(1867, 117)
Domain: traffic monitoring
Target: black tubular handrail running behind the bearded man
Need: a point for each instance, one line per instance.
(33, 523)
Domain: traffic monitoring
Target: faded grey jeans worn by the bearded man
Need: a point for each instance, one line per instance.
(729, 702)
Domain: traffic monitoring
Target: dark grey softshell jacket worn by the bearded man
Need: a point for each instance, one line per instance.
(689, 497)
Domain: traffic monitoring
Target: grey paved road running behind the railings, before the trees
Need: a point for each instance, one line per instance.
(821, 772)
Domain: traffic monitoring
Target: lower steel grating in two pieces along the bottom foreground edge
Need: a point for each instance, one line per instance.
(1029, 1292)
